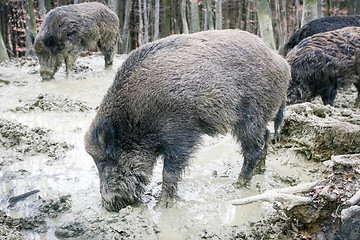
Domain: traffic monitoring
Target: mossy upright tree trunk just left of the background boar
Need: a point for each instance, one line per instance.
(30, 30)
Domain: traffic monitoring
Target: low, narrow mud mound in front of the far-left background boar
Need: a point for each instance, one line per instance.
(50, 102)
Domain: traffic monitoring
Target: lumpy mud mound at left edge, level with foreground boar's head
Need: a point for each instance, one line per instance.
(17, 139)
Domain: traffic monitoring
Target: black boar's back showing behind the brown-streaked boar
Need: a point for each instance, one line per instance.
(319, 25)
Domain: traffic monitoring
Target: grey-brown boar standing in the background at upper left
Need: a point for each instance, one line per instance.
(68, 30)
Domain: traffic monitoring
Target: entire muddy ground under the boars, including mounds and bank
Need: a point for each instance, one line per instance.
(42, 125)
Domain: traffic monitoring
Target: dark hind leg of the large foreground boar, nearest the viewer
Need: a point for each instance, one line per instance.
(253, 136)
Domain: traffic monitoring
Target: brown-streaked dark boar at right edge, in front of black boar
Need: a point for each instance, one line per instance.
(323, 63)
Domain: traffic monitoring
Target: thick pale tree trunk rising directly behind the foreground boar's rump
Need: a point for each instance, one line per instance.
(265, 22)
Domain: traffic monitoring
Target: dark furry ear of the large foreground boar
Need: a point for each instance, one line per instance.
(105, 136)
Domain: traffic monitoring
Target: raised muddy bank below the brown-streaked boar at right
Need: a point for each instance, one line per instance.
(319, 131)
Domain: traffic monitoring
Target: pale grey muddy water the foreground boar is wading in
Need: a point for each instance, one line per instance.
(204, 208)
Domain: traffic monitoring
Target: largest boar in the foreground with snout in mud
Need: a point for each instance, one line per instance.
(168, 93)
